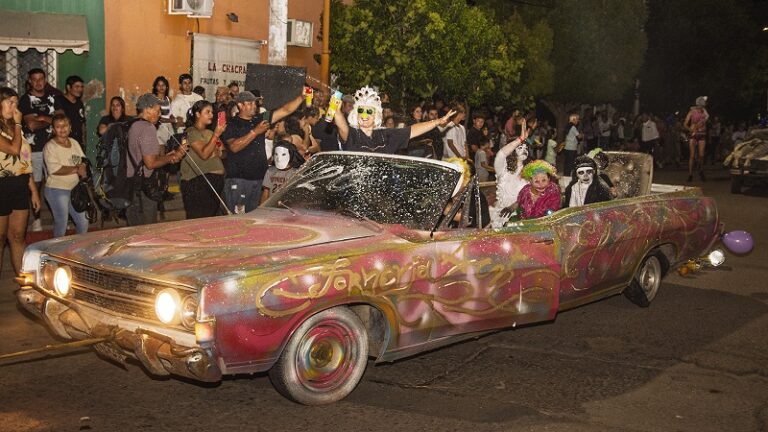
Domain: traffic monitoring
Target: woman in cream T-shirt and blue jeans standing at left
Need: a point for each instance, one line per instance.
(63, 158)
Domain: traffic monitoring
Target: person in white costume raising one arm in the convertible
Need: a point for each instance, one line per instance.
(508, 165)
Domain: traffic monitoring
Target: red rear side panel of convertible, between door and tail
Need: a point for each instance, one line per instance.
(602, 245)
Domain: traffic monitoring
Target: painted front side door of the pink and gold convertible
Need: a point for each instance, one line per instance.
(487, 279)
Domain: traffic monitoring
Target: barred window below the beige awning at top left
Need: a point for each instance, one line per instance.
(15, 64)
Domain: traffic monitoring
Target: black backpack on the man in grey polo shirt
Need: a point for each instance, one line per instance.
(113, 186)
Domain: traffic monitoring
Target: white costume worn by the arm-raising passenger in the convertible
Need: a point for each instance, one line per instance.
(508, 184)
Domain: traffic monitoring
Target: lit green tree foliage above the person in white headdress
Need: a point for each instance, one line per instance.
(414, 49)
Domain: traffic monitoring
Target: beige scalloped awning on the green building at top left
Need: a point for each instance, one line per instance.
(43, 31)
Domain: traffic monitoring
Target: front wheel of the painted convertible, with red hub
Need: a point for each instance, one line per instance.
(324, 359)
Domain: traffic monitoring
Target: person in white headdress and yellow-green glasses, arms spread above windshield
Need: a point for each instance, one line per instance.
(364, 132)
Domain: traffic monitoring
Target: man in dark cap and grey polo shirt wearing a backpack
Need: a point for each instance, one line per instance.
(144, 157)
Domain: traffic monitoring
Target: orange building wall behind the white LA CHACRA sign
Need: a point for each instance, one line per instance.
(143, 41)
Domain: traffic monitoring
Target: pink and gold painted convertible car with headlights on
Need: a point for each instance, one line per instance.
(357, 255)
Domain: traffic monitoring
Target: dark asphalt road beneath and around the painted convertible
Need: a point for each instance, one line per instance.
(696, 360)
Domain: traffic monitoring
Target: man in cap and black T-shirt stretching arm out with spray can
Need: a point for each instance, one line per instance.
(246, 161)
